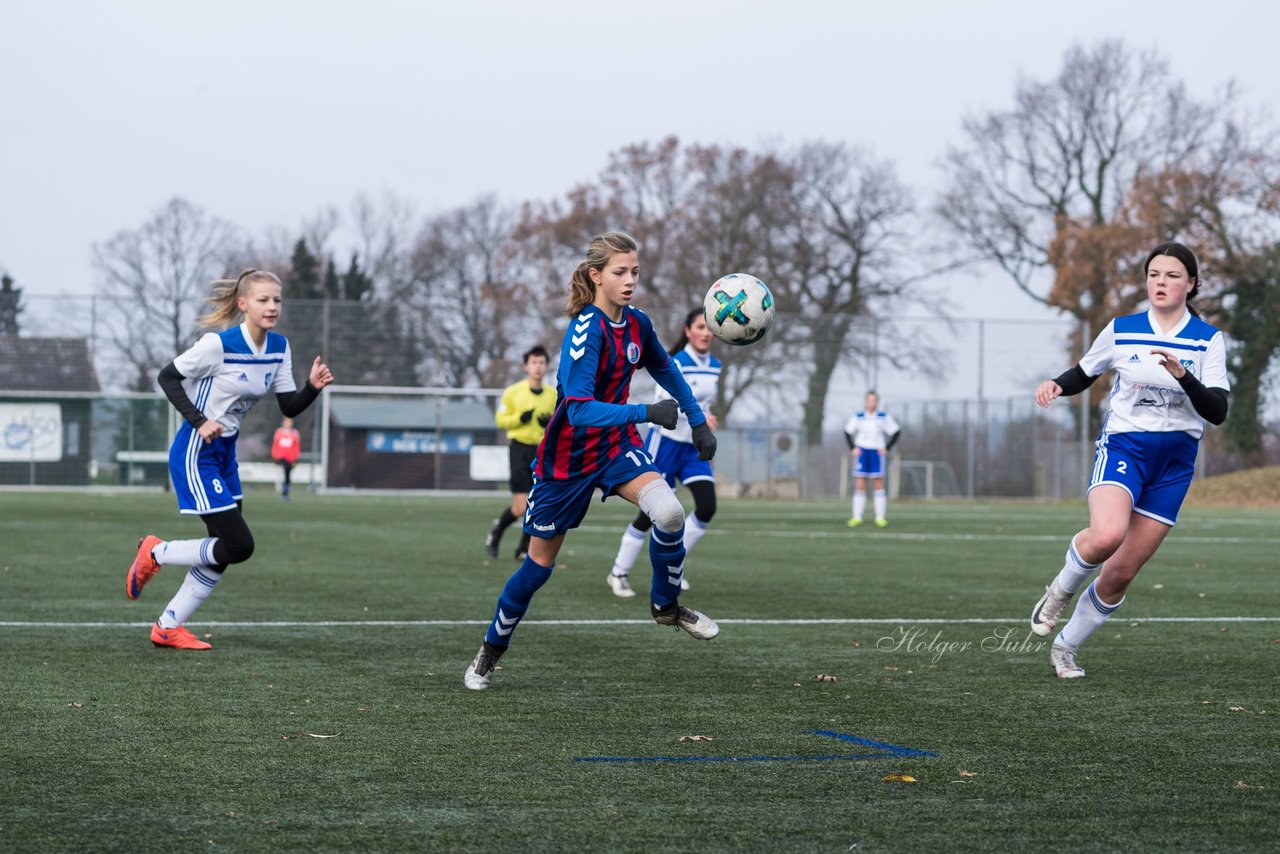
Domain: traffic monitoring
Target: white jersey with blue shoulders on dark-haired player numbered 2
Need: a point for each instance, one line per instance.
(1146, 399)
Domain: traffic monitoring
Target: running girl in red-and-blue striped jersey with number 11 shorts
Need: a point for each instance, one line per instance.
(592, 444)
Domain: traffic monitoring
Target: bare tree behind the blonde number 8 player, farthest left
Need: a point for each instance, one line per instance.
(158, 277)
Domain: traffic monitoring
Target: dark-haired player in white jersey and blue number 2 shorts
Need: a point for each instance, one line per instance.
(1171, 380)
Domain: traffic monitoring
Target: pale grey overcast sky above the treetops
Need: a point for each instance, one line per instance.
(263, 112)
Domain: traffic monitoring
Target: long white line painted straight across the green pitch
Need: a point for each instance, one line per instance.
(730, 622)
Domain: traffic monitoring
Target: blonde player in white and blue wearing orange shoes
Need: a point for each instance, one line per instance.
(213, 386)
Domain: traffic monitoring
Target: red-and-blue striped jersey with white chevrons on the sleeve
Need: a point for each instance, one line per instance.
(597, 363)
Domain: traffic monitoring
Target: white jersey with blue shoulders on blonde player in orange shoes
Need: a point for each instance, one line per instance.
(226, 375)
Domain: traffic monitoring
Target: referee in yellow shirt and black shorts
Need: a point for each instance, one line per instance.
(524, 413)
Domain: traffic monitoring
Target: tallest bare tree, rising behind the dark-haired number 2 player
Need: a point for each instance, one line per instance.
(1066, 159)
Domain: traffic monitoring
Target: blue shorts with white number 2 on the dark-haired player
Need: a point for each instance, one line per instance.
(1154, 468)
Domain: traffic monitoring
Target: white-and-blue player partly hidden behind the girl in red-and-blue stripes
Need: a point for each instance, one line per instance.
(674, 453)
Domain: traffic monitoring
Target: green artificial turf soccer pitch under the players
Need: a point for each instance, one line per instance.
(331, 713)
